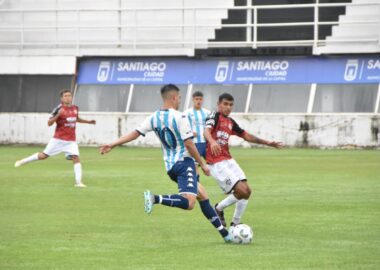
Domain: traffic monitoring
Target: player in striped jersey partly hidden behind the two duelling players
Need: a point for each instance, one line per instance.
(197, 116)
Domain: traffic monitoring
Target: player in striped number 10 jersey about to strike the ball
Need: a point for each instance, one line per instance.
(173, 130)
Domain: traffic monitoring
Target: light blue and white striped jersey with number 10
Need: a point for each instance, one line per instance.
(172, 129)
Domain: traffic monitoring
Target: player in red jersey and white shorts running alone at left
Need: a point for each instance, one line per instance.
(65, 115)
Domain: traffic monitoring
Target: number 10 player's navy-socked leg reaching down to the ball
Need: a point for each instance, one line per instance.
(209, 212)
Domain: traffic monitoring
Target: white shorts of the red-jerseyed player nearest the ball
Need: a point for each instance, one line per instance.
(227, 173)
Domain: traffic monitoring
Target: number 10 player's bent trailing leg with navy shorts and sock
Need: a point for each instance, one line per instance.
(183, 172)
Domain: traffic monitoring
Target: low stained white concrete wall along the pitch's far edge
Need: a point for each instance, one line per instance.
(323, 131)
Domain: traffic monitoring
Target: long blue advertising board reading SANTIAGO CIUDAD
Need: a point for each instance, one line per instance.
(257, 70)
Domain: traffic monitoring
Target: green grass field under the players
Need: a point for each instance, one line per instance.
(311, 209)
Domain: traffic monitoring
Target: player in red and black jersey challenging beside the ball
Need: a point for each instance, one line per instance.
(228, 174)
